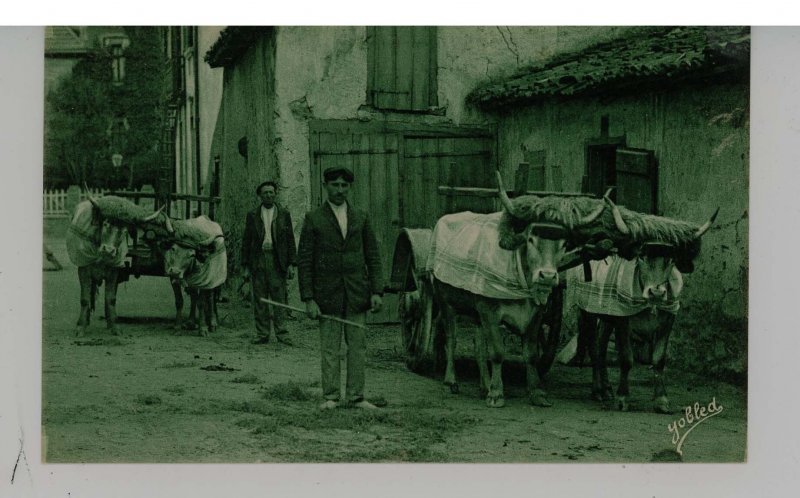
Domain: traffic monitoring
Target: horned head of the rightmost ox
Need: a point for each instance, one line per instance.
(659, 264)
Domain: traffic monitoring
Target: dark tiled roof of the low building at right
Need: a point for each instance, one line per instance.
(647, 55)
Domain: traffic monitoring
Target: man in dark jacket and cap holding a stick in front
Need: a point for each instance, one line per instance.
(340, 275)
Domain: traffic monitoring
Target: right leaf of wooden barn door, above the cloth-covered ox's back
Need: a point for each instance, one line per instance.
(429, 162)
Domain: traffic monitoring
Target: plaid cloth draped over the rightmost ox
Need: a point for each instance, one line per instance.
(615, 290)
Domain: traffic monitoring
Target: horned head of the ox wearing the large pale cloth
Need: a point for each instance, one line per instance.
(544, 244)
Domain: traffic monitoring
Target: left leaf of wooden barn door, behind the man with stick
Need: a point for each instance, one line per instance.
(373, 158)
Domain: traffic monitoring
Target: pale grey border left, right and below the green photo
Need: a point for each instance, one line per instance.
(774, 445)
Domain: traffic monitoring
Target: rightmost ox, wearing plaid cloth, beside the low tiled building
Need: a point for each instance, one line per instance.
(648, 311)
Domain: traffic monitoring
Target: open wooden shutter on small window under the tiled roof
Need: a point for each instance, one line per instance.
(637, 180)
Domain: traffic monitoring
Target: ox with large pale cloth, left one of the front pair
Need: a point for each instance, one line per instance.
(499, 270)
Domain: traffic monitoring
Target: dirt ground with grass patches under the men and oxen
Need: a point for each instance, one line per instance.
(151, 396)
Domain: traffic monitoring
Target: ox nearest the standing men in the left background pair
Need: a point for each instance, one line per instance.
(196, 261)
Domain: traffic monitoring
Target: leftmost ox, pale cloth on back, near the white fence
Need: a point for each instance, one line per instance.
(97, 243)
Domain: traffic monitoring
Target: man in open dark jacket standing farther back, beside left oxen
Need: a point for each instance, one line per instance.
(269, 258)
